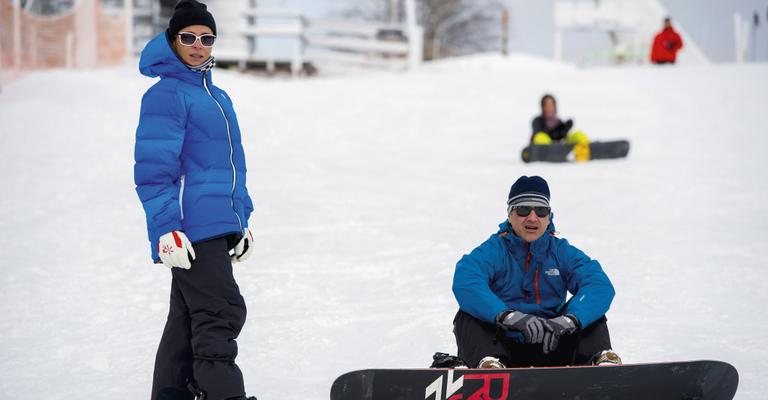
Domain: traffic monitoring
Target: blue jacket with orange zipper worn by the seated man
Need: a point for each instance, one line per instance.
(506, 273)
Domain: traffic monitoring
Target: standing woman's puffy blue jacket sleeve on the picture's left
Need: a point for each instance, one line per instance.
(157, 168)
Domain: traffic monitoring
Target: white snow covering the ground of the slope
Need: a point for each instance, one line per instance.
(368, 189)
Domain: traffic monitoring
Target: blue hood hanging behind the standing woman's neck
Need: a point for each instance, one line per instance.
(159, 59)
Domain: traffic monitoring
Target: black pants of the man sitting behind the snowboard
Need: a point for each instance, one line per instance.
(477, 339)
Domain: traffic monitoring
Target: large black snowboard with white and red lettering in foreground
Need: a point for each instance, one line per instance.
(706, 380)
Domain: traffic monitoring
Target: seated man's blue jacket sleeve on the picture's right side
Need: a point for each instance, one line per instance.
(591, 289)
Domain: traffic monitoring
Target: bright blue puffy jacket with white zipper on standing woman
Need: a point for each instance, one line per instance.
(190, 164)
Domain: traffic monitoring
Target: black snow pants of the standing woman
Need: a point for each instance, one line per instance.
(205, 317)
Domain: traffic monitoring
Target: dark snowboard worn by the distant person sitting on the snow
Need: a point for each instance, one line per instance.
(563, 152)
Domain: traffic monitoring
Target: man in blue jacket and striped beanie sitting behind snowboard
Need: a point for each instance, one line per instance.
(512, 289)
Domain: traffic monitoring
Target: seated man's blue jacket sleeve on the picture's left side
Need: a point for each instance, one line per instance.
(471, 281)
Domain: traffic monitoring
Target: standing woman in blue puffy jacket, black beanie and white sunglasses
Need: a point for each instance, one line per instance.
(190, 177)
